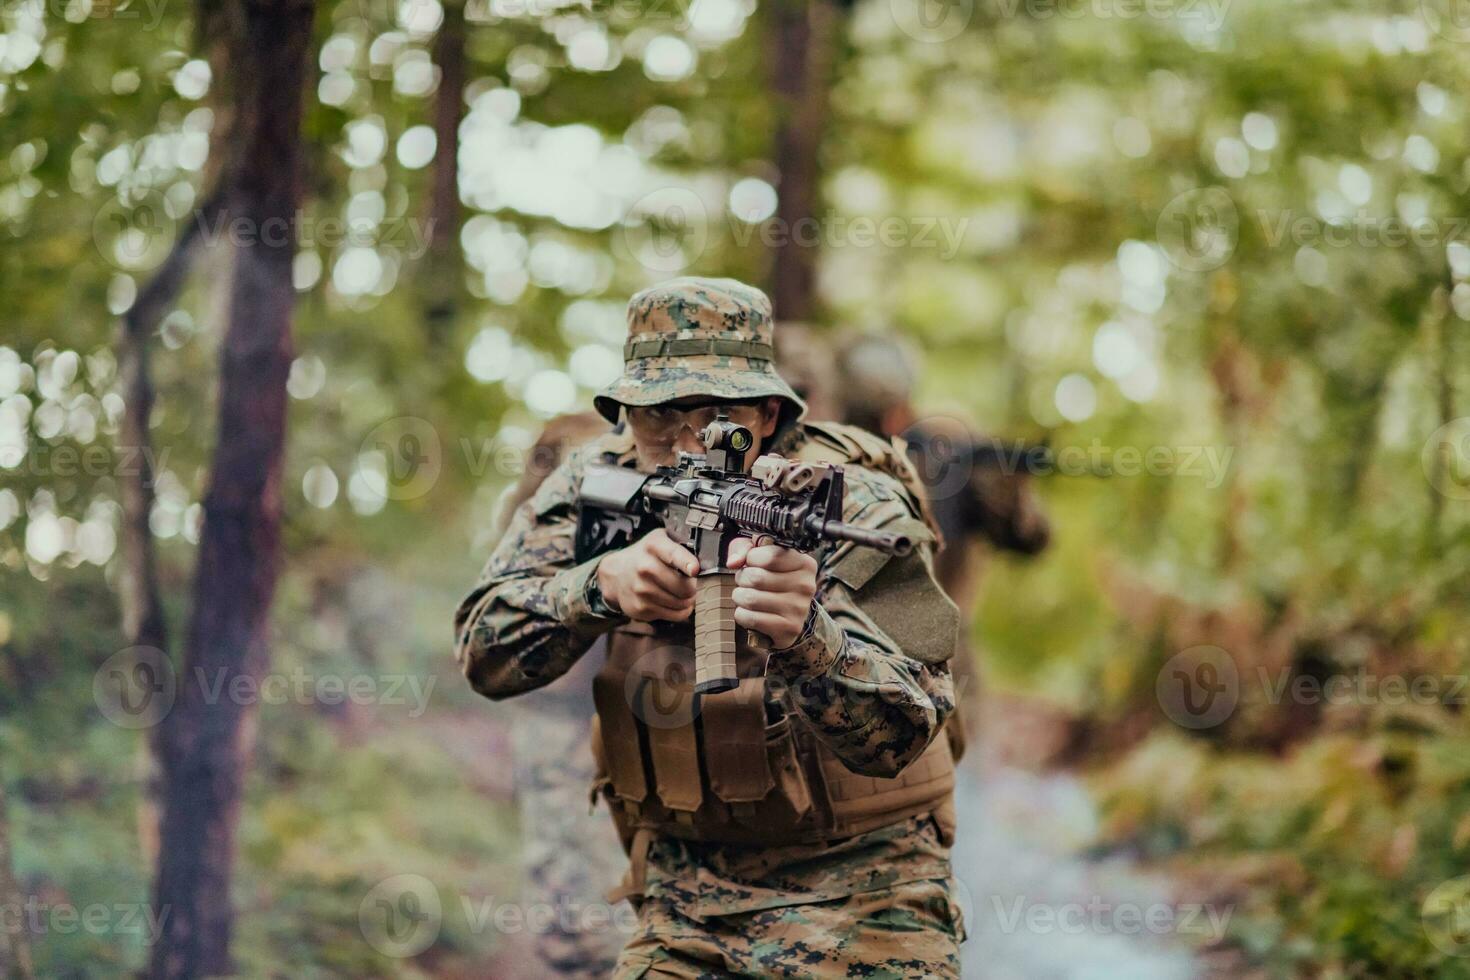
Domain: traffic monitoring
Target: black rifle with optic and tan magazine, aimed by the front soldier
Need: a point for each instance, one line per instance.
(705, 502)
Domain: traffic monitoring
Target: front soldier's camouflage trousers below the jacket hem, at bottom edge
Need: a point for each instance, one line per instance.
(892, 934)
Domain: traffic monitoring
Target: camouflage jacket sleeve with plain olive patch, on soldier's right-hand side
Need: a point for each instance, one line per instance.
(871, 674)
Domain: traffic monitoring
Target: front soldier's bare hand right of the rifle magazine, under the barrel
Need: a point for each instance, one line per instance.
(774, 590)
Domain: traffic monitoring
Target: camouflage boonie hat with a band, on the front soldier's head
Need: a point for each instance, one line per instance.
(699, 337)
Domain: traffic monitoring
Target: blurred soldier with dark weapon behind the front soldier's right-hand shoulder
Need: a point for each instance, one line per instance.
(977, 499)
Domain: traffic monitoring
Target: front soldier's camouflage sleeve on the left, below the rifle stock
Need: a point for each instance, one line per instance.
(530, 618)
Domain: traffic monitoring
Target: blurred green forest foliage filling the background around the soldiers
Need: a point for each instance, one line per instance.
(1316, 365)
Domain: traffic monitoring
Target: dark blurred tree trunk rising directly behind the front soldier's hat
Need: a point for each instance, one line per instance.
(802, 52)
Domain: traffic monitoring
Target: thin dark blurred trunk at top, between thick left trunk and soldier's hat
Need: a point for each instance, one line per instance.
(445, 268)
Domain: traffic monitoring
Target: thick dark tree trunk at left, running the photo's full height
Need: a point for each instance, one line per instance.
(205, 746)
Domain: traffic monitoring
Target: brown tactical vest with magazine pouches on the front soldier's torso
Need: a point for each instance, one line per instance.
(739, 768)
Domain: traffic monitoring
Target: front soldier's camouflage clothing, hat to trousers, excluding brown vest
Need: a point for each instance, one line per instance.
(872, 904)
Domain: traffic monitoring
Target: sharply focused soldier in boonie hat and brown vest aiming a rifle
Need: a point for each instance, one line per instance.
(800, 824)
